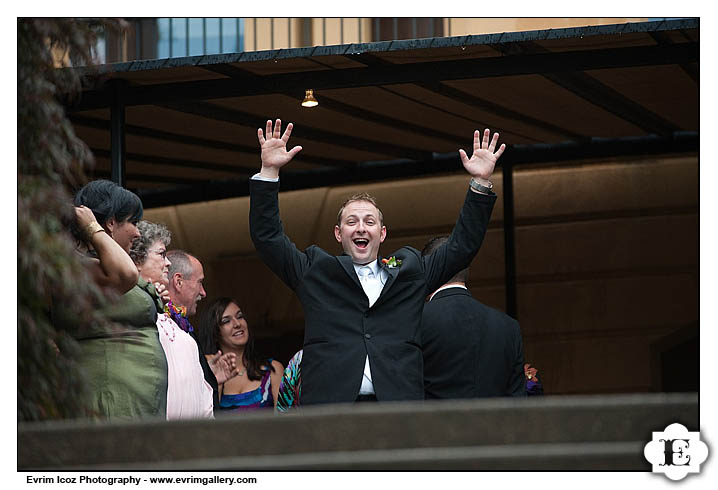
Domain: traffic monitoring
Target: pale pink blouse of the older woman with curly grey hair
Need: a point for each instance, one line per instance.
(189, 396)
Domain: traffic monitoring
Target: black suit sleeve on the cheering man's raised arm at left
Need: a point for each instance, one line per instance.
(267, 233)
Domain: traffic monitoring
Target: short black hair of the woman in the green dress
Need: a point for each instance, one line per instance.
(109, 200)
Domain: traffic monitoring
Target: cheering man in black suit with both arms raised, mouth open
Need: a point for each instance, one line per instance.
(360, 340)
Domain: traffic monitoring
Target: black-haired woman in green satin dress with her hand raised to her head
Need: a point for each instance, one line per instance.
(124, 362)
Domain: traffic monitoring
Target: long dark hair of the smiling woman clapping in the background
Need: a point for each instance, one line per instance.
(208, 337)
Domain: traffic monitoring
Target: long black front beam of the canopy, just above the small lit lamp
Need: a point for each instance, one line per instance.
(499, 66)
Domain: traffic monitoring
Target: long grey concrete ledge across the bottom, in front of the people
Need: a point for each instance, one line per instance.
(560, 432)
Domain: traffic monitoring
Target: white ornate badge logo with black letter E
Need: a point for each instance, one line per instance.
(676, 452)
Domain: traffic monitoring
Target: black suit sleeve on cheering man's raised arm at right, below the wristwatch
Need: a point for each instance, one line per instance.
(463, 244)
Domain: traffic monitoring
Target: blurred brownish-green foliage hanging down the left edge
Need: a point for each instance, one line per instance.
(51, 162)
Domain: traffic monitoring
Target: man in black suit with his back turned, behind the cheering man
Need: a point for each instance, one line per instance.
(470, 350)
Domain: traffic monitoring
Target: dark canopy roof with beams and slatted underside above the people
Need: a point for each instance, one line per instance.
(395, 109)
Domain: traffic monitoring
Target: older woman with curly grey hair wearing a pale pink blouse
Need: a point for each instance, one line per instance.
(188, 394)
